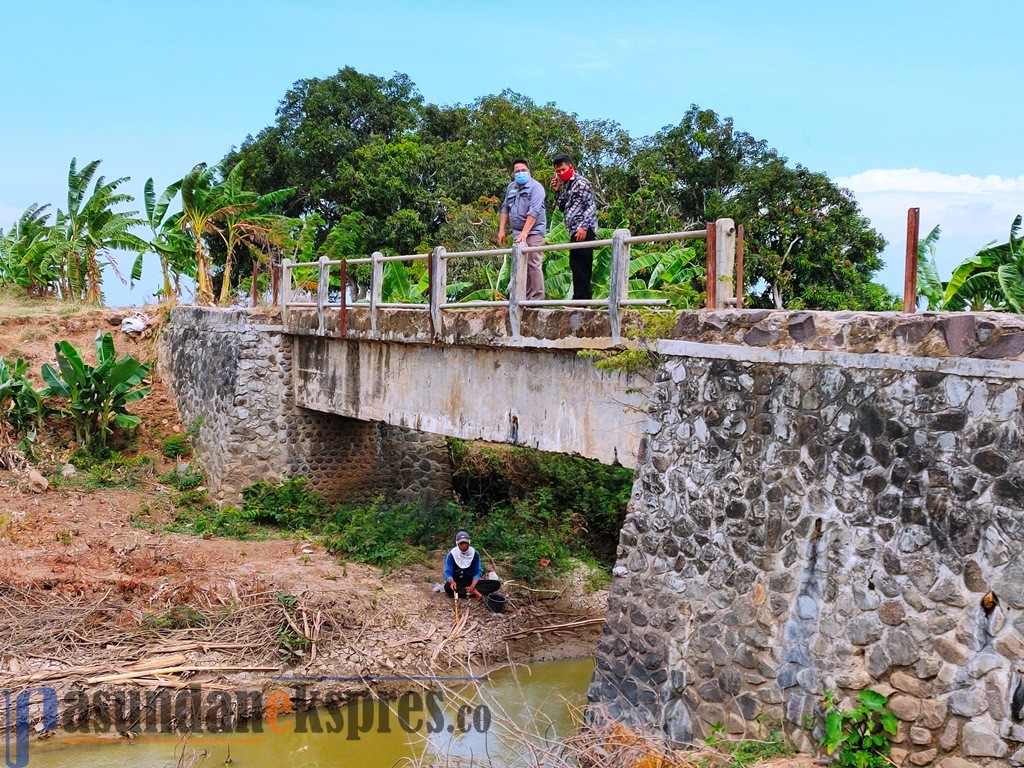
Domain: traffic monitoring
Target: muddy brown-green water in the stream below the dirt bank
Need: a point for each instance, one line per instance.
(479, 722)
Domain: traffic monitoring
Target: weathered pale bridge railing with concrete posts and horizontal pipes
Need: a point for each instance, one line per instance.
(721, 238)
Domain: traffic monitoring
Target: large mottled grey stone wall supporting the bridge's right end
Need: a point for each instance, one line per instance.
(810, 522)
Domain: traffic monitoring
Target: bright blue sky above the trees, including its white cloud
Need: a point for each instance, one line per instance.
(906, 103)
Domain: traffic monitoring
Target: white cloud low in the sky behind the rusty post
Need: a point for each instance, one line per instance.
(971, 210)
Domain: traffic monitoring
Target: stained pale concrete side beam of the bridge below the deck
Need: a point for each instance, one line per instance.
(551, 400)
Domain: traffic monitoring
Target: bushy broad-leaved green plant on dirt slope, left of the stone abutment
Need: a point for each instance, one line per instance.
(97, 398)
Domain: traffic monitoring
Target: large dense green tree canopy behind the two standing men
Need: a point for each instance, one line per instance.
(370, 156)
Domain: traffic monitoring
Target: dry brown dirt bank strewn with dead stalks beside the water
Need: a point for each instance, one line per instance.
(91, 584)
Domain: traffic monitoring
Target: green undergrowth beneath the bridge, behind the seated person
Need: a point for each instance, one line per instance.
(534, 511)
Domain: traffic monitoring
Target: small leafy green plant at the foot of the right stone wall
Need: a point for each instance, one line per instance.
(863, 737)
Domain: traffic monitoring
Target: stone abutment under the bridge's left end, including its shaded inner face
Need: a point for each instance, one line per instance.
(233, 371)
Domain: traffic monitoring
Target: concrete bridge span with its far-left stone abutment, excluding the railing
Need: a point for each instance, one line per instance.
(364, 412)
